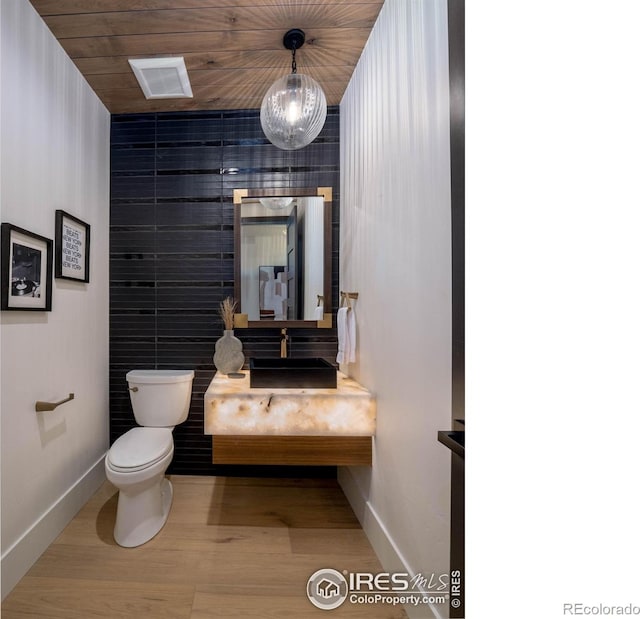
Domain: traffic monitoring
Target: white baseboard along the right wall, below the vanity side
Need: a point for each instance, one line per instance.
(383, 545)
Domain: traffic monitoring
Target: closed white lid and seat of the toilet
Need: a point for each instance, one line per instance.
(139, 448)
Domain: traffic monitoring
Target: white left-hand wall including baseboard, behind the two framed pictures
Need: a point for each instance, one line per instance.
(54, 155)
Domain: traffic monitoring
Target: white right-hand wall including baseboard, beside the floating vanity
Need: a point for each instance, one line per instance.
(395, 247)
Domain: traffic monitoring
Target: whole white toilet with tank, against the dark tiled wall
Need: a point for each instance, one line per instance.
(137, 461)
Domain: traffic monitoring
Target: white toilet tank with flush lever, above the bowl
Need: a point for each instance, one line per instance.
(160, 398)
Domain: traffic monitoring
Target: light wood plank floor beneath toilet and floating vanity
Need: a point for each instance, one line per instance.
(232, 547)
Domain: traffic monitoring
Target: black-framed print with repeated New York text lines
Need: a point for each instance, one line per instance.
(72, 247)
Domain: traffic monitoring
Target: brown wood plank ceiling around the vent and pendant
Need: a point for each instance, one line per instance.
(232, 48)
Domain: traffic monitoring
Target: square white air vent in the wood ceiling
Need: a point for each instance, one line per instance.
(162, 78)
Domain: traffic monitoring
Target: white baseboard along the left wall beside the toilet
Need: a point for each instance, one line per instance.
(18, 559)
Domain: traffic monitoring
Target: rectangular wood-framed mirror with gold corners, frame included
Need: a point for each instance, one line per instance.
(282, 257)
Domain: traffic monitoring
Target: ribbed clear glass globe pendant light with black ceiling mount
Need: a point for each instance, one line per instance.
(294, 109)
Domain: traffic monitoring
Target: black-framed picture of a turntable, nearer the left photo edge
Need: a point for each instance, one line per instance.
(26, 270)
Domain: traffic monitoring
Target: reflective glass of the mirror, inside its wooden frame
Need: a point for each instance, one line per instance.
(282, 250)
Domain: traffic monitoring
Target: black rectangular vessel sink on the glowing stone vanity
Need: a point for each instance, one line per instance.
(303, 373)
